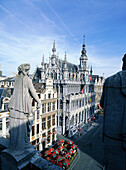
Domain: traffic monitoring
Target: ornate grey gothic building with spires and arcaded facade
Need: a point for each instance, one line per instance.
(75, 90)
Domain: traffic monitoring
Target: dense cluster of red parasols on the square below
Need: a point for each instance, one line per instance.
(62, 153)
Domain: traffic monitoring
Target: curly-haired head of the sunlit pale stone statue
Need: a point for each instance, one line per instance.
(24, 69)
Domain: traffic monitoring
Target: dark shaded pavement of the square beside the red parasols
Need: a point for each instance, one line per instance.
(90, 145)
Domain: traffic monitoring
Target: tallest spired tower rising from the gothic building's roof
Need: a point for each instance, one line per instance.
(83, 58)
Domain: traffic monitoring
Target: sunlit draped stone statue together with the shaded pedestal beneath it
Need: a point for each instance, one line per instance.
(19, 151)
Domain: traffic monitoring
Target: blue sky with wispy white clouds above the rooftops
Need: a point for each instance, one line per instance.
(29, 27)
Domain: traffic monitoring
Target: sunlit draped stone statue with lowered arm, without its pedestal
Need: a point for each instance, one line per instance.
(20, 107)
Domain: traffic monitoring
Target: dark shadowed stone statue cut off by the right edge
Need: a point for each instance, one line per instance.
(113, 102)
